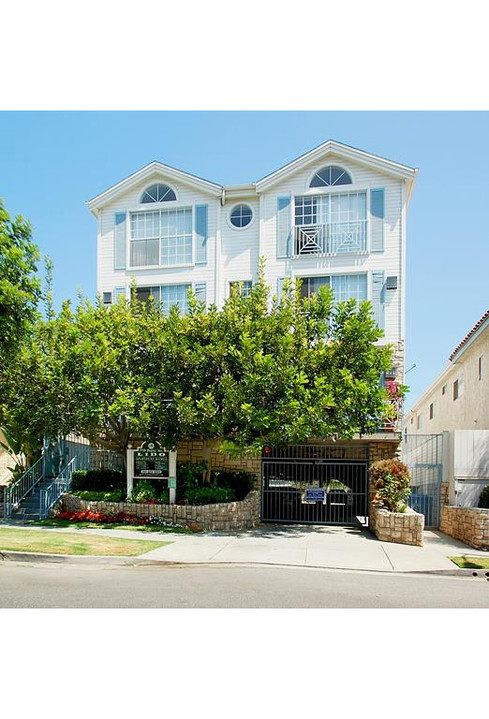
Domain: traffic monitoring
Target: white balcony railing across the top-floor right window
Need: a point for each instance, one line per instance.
(335, 238)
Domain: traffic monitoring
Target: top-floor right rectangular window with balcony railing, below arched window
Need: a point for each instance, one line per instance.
(330, 224)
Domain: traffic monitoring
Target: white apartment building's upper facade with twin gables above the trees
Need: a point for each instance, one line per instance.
(334, 216)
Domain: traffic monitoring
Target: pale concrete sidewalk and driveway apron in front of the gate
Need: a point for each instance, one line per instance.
(303, 546)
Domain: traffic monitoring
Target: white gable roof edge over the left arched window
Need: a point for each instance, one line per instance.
(148, 171)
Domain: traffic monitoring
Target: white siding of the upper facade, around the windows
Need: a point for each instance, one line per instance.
(233, 254)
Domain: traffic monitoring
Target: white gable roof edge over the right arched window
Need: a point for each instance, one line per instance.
(340, 150)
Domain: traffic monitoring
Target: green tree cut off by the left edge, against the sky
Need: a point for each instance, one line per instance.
(19, 286)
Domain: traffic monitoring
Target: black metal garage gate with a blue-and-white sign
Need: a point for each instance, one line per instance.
(315, 484)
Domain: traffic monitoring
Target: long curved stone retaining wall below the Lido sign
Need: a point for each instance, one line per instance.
(209, 517)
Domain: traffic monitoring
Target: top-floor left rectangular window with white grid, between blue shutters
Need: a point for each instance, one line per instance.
(163, 237)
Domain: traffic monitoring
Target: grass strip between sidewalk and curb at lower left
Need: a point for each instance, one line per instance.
(46, 542)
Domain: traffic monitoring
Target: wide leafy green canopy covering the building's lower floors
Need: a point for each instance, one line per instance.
(261, 370)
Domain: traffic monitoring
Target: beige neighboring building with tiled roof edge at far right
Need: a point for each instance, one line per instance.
(459, 397)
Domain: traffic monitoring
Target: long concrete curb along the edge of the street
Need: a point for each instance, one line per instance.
(13, 556)
